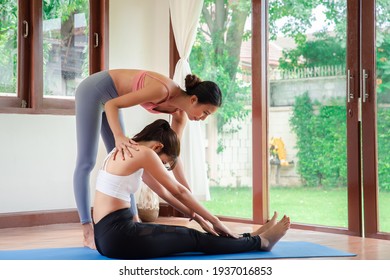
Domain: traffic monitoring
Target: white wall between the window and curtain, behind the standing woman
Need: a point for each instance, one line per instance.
(139, 39)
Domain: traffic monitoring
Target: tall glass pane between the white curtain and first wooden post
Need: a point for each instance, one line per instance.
(218, 56)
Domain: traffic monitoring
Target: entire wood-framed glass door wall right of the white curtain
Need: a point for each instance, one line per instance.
(304, 129)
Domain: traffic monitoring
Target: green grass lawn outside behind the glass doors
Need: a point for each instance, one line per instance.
(304, 205)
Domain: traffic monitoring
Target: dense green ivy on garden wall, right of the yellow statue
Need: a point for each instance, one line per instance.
(321, 138)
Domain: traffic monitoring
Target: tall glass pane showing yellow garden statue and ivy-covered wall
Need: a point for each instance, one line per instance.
(307, 114)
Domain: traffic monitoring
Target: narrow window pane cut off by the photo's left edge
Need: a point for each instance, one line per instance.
(8, 47)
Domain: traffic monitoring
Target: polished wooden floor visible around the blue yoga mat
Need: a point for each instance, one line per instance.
(70, 235)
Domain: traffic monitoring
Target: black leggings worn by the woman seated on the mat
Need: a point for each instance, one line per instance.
(117, 236)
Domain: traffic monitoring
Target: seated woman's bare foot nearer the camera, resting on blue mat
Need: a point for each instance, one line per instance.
(270, 237)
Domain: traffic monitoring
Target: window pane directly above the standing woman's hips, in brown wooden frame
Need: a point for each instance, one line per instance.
(65, 46)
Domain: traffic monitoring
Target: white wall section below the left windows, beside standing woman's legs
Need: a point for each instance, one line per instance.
(37, 155)
